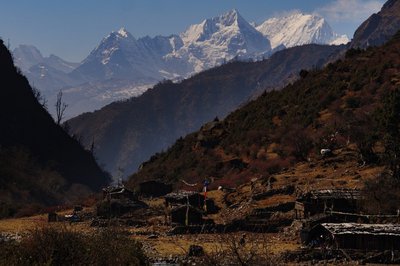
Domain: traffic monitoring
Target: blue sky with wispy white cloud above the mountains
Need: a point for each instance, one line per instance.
(72, 28)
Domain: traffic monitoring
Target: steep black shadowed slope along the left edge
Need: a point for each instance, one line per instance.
(40, 163)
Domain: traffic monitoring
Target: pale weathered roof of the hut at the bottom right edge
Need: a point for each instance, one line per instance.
(362, 229)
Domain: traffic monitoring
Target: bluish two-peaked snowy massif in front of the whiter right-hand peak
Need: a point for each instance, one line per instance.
(201, 46)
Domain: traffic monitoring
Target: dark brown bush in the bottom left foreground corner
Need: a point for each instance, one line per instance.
(62, 246)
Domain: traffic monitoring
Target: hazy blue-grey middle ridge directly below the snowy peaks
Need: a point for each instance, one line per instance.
(127, 133)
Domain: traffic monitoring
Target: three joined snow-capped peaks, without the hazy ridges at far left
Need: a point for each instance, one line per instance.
(202, 46)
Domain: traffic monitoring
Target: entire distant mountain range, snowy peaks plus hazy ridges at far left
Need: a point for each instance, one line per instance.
(122, 66)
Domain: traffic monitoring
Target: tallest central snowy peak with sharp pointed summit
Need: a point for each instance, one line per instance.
(220, 39)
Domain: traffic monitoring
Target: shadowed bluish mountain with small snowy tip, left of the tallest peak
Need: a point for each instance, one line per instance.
(120, 55)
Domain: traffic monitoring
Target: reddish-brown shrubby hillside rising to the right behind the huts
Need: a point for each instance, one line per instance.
(335, 107)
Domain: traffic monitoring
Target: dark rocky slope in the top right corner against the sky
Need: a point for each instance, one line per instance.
(380, 27)
